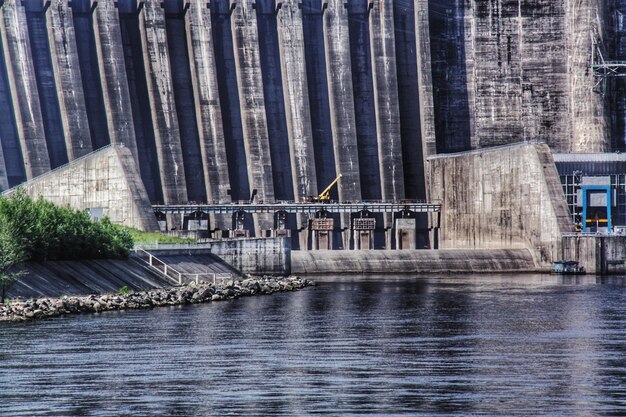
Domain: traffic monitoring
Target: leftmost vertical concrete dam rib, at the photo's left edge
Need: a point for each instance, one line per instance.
(23, 86)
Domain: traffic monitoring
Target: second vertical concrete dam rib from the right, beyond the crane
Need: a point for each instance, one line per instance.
(383, 51)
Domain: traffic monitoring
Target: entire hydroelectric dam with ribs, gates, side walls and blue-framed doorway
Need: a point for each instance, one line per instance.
(228, 118)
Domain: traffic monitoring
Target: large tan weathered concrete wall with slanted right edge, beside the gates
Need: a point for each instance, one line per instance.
(505, 197)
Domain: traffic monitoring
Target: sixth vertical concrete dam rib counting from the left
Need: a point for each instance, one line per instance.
(252, 104)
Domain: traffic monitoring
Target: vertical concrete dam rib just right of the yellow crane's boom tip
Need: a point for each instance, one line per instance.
(341, 97)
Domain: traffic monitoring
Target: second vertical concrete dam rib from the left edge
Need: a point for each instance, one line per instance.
(67, 77)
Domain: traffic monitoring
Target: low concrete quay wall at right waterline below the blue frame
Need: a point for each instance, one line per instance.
(601, 255)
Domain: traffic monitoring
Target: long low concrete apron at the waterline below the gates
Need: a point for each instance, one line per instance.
(412, 261)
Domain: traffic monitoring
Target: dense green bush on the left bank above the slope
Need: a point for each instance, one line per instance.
(49, 232)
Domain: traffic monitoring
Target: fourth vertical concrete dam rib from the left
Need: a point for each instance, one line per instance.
(162, 106)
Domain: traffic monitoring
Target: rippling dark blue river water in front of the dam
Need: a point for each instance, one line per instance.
(454, 345)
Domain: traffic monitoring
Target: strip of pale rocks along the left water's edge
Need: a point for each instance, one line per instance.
(192, 293)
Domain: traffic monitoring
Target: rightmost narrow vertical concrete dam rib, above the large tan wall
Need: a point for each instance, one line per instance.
(425, 82)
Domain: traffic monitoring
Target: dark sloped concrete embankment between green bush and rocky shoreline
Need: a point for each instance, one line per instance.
(59, 278)
